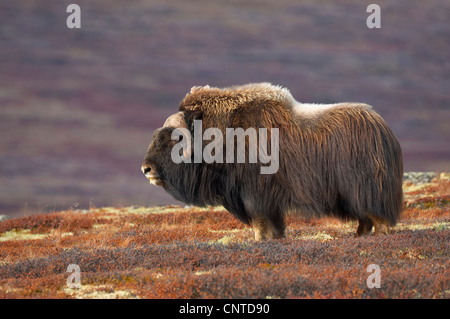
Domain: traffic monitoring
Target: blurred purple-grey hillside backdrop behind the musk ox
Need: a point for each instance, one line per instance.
(78, 106)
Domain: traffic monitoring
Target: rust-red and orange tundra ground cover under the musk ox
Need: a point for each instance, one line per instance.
(176, 252)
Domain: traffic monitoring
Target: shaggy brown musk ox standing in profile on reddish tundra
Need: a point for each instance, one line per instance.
(339, 160)
